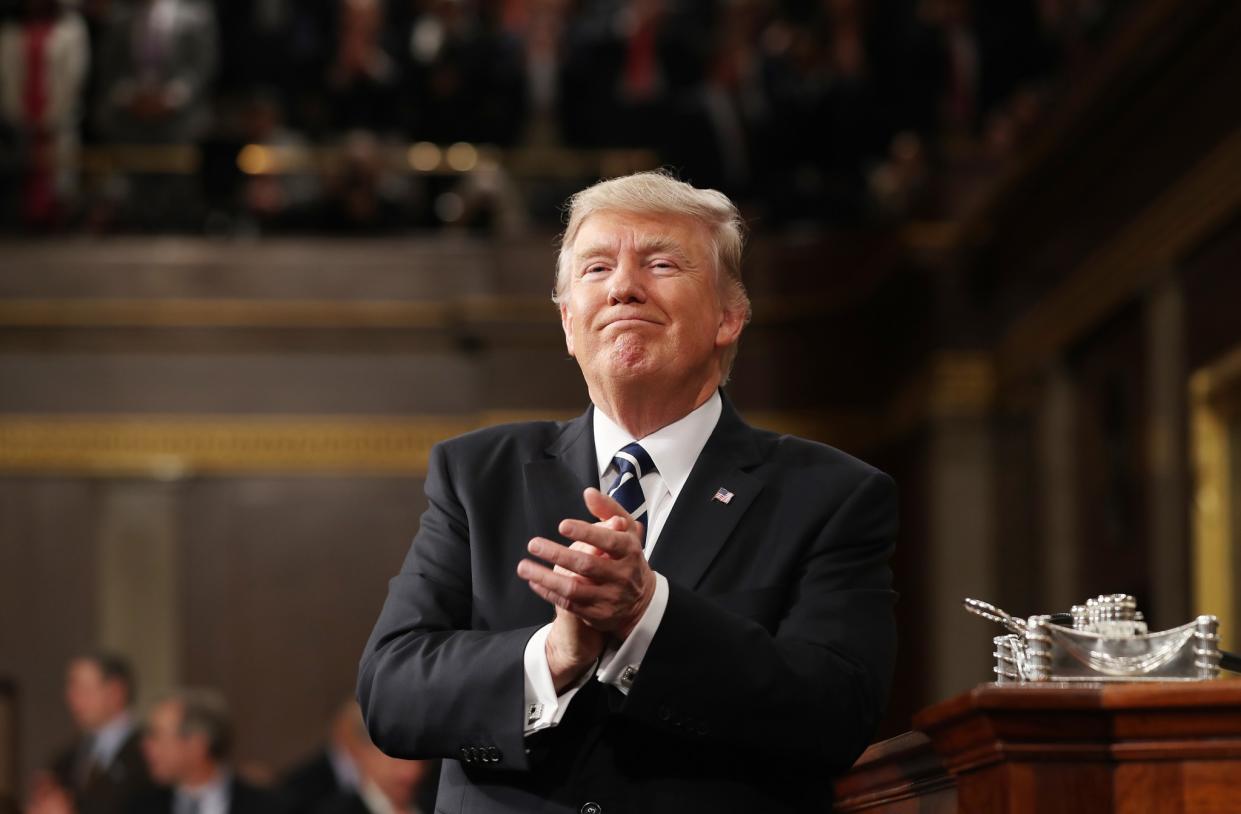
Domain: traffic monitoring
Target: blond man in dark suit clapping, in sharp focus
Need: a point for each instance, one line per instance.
(738, 669)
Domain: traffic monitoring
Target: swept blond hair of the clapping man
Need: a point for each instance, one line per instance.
(660, 193)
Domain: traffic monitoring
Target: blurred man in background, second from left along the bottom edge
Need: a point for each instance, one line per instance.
(188, 743)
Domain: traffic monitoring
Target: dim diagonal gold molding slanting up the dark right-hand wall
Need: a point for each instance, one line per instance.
(1175, 224)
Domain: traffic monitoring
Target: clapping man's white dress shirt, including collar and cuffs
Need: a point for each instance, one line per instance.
(674, 450)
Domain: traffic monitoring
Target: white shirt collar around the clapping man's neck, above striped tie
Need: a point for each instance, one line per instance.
(674, 449)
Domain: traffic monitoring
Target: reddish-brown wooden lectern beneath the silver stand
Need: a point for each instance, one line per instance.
(1156, 749)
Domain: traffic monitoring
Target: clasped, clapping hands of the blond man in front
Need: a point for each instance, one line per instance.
(600, 585)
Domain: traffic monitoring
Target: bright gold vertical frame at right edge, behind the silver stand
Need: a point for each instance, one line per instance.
(1213, 435)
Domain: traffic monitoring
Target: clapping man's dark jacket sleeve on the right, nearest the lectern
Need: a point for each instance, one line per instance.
(815, 689)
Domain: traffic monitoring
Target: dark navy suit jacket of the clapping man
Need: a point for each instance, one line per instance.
(766, 678)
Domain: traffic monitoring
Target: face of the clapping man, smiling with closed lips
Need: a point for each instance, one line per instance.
(643, 302)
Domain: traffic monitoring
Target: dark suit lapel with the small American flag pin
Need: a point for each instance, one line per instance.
(699, 526)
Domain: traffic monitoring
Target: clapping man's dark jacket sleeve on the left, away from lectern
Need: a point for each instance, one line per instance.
(429, 686)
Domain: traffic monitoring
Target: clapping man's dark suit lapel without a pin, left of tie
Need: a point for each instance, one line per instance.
(554, 485)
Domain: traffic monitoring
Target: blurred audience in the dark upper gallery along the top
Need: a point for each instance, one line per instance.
(809, 112)
